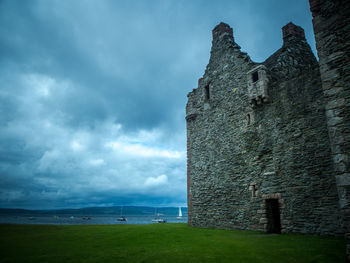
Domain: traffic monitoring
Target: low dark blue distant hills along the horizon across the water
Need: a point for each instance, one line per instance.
(114, 210)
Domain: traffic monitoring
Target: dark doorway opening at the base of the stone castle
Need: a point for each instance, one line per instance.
(273, 216)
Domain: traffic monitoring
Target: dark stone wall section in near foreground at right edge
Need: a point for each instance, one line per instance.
(331, 21)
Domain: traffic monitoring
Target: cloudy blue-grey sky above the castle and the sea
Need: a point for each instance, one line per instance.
(93, 93)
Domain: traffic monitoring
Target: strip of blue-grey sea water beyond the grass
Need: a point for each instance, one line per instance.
(84, 219)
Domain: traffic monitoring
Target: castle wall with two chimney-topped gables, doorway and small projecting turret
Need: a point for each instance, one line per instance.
(250, 141)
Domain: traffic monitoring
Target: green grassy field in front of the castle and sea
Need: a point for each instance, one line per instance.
(160, 243)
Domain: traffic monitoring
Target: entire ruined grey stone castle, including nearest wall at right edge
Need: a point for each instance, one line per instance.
(268, 143)
